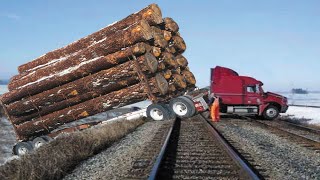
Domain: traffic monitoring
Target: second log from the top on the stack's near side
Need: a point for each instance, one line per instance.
(138, 32)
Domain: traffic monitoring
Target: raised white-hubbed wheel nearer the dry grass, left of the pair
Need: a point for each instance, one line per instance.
(158, 112)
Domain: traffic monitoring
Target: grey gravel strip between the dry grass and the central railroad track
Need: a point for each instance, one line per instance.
(120, 160)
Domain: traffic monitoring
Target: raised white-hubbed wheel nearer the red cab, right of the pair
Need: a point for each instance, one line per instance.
(182, 106)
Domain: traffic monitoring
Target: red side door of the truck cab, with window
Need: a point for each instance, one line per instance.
(252, 95)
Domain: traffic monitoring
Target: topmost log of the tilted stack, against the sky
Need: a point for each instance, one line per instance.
(152, 14)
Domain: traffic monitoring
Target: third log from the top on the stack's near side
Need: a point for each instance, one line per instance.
(100, 63)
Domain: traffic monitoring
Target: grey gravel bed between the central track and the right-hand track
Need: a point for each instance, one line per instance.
(275, 157)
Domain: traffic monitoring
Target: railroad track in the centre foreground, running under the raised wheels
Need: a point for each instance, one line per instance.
(195, 150)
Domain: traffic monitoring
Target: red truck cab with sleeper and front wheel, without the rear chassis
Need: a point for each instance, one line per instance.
(245, 95)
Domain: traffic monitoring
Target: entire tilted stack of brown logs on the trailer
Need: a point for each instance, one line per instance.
(137, 58)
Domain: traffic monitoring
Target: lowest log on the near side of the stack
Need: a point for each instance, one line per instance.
(46, 124)
